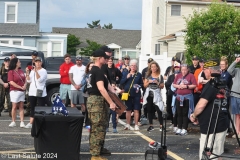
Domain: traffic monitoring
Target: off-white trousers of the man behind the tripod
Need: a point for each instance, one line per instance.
(218, 146)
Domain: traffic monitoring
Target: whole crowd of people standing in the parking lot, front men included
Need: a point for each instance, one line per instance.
(189, 95)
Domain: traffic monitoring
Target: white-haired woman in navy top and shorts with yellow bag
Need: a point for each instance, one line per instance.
(133, 103)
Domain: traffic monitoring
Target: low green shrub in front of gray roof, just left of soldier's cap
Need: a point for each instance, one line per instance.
(92, 46)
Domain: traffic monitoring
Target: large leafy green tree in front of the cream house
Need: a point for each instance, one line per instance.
(214, 32)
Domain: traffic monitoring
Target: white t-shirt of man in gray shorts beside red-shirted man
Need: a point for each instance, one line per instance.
(78, 73)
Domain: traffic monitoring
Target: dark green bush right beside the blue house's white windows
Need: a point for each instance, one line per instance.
(72, 43)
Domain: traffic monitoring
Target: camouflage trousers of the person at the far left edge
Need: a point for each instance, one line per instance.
(5, 94)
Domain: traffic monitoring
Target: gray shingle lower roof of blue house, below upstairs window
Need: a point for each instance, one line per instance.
(19, 29)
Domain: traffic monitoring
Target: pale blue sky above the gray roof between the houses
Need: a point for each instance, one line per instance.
(123, 14)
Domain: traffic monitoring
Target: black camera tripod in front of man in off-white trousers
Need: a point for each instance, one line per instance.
(221, 103)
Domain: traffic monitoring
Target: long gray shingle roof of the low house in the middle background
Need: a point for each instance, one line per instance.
(123, 38)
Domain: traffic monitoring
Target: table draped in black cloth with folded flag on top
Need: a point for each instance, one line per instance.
(57, 136)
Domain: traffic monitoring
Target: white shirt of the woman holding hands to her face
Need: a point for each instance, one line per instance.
(40, 83)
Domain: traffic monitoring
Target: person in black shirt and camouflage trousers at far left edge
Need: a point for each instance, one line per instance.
(4, 87)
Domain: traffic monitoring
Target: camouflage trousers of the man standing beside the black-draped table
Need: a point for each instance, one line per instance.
(98, 116)
